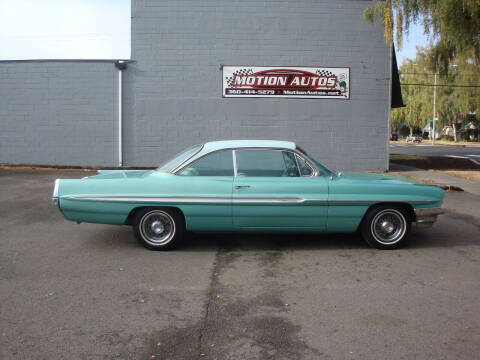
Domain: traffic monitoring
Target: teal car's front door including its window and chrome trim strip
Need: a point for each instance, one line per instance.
(270, 193)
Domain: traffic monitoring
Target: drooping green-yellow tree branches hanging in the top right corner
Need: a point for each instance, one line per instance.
(454, 25)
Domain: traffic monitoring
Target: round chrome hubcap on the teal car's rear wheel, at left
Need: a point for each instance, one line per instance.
(157, 227)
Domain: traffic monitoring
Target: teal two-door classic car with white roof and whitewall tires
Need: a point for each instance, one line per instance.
(249, 185)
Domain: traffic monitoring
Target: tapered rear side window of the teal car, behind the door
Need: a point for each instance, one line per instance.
(219, 163)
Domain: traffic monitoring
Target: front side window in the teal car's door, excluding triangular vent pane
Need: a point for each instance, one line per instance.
(266, 163)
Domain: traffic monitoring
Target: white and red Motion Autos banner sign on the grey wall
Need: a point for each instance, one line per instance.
(288, 82)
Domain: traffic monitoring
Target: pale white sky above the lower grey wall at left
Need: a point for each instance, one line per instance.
(64, 29)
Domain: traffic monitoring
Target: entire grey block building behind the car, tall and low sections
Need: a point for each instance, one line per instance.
(55, 112)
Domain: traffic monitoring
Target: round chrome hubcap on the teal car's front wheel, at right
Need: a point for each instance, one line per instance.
(388, 226)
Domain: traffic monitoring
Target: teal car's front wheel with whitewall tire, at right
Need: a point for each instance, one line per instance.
(386, 227)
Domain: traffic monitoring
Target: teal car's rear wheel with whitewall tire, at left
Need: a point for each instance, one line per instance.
(159, 229)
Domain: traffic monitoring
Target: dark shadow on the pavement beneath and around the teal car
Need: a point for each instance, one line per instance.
(450, 233)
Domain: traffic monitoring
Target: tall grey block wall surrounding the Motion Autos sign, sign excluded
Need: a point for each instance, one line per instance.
(179, 46)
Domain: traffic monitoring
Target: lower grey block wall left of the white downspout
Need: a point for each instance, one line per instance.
(58, 113)
